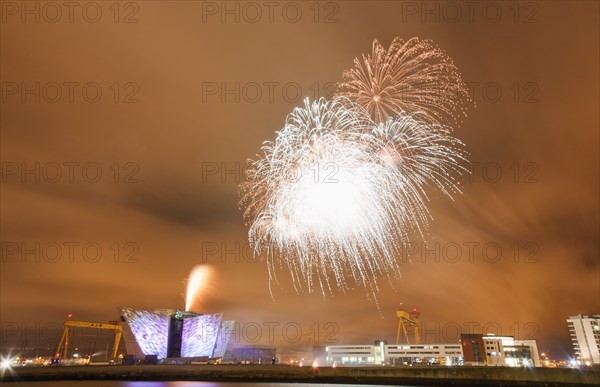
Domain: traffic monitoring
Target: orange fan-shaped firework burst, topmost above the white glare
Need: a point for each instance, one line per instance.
(411, 76)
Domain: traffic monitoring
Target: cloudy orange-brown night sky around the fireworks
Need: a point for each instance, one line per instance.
(171, 142)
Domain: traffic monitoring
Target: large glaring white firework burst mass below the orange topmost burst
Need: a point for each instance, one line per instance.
(336, 193)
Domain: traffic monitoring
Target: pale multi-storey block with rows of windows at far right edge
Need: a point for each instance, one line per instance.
(585, 335)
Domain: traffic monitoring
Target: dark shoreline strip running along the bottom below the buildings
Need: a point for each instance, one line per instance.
(421, 376)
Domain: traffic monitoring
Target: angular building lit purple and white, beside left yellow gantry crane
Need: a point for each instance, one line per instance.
(173, 333)
